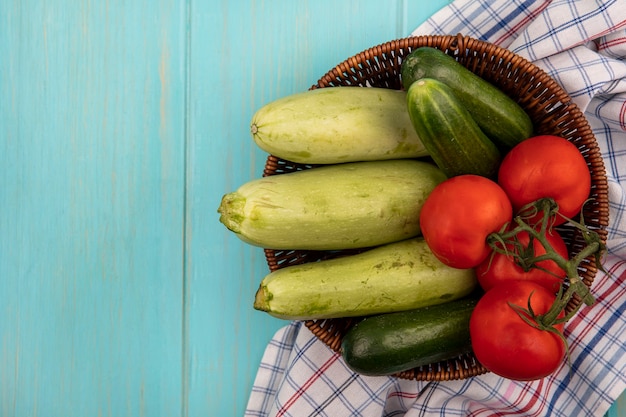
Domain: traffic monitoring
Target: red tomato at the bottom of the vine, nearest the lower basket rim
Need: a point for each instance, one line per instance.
(508, 346)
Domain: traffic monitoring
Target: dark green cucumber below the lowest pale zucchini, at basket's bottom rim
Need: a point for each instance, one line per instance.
(391, 343)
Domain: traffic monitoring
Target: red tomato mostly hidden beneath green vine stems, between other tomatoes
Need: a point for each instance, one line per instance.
(501, 268)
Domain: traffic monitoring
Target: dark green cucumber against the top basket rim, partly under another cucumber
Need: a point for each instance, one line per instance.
(501, 118)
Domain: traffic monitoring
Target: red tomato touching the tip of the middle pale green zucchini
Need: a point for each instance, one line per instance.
(459, 214)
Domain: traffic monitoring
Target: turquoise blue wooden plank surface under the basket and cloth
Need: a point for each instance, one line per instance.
(121, 125)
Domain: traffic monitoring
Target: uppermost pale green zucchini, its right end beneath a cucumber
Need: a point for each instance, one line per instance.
(335, 125)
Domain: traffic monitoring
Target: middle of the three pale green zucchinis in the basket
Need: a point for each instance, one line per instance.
(344, 206)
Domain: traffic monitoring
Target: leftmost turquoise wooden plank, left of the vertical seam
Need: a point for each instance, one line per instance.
(92, 139)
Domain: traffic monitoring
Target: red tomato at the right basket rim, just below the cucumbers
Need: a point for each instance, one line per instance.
(546, 166)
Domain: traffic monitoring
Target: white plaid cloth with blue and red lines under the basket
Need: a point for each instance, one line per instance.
(582, 44)
